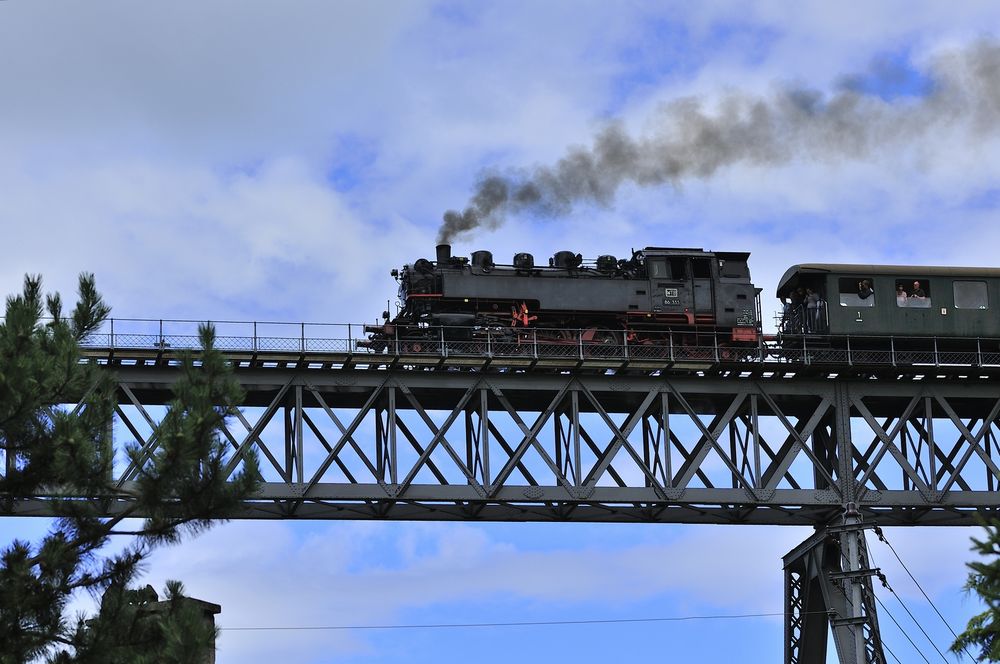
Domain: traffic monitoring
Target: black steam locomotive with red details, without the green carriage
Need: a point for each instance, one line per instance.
(686, 293)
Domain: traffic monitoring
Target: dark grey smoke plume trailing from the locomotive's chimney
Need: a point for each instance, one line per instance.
(960, 90)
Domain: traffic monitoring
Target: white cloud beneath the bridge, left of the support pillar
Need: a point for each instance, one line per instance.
(362, 573)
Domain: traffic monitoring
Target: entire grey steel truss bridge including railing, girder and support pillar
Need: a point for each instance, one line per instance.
(492, 429)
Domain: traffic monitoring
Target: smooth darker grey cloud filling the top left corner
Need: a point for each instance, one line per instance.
(212, 79)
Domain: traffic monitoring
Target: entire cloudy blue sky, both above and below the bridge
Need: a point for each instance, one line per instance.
(235, 160)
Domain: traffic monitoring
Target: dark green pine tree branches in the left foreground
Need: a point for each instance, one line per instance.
(180, 487)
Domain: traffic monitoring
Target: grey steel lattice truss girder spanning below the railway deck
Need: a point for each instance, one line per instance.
(413, 443)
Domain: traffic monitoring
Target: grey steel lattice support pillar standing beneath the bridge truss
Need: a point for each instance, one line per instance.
(828, 588)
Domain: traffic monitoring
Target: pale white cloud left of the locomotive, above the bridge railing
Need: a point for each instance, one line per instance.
(275, 241)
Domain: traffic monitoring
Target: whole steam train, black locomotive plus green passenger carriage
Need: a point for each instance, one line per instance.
(688, 297)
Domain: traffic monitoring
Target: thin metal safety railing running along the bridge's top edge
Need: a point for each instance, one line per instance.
(263, 339)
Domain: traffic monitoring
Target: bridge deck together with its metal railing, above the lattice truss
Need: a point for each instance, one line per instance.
(328, 346)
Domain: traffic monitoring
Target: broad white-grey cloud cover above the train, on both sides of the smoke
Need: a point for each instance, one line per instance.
(154, 133)
